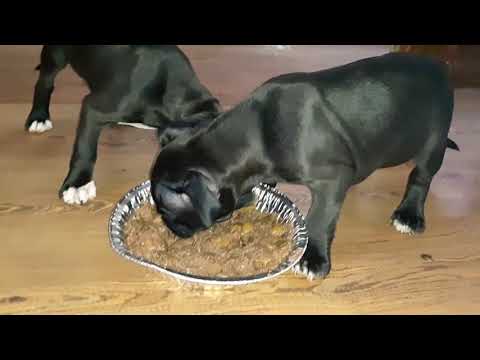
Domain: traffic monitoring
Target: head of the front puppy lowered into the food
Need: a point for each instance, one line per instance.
(189, 201)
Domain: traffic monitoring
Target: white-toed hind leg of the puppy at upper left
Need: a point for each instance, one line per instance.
(53, 60)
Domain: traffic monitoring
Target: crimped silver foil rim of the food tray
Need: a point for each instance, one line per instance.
(268, 200)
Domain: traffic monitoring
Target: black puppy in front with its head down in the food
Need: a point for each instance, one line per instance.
(327, 130)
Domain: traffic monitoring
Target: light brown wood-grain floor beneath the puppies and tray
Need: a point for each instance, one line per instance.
(56, 259)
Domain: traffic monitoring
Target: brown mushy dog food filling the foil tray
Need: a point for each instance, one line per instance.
(251, 243)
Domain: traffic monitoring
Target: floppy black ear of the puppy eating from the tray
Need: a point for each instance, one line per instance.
(203, 199)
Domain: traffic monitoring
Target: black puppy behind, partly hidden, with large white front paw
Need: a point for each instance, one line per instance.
(153, 85)
